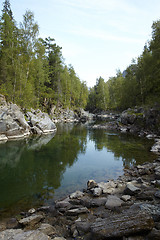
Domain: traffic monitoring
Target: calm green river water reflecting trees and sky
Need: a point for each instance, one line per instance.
(40, 170)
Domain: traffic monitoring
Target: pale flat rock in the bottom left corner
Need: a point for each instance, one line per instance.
(18, 234)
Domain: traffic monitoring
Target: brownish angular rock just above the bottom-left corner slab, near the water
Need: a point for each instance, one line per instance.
(31, 220)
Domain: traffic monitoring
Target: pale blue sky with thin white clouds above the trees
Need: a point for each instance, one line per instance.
(98, 37)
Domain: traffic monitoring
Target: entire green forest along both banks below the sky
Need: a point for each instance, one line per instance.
(33, 72)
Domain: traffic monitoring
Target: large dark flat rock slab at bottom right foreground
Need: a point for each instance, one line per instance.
(119, 225)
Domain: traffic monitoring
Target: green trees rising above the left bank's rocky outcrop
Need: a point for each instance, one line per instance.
(32, 70)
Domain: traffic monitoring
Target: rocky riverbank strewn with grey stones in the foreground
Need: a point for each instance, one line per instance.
(127, 208)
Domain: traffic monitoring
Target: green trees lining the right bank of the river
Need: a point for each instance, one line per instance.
(140, 85)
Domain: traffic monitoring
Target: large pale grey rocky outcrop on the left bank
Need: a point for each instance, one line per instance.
(14, 124)
